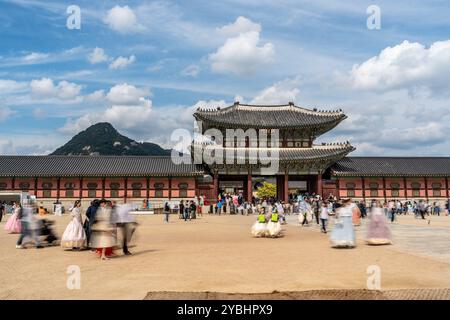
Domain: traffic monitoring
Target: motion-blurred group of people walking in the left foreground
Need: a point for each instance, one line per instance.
(98, 232)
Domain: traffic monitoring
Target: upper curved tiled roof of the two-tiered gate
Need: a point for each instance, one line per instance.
(270, 117)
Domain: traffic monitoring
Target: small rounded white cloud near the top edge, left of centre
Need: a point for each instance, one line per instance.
(122, 20)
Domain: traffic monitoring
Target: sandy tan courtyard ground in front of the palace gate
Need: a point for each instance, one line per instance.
(218, 254)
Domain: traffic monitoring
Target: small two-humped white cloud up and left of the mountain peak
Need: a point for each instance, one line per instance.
(45, 88)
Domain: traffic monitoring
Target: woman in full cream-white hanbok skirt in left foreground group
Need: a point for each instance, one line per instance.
(74, 236)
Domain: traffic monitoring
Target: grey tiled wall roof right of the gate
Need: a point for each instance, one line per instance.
(392, 166)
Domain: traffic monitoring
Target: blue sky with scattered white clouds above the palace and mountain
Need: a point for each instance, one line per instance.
(145, 66)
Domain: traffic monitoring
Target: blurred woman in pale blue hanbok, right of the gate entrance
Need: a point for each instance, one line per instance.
(343, 234)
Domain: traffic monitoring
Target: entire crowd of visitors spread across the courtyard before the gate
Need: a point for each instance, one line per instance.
(104, 219)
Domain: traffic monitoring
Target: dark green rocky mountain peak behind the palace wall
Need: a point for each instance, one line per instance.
(103, 139)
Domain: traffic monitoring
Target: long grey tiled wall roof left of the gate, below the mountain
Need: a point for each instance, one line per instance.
(94, 166)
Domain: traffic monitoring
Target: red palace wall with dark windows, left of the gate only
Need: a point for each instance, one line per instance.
(136, 189)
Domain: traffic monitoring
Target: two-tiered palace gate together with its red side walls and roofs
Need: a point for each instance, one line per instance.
(301, 165)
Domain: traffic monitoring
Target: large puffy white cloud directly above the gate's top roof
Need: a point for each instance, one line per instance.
(242, 54)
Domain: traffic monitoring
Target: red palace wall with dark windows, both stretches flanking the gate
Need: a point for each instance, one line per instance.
(159, 189)
